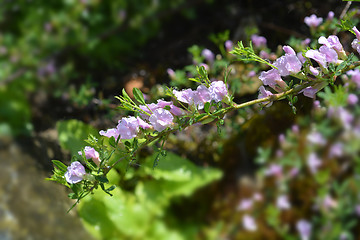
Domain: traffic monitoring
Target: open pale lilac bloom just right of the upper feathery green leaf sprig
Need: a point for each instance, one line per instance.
(288, 64)
